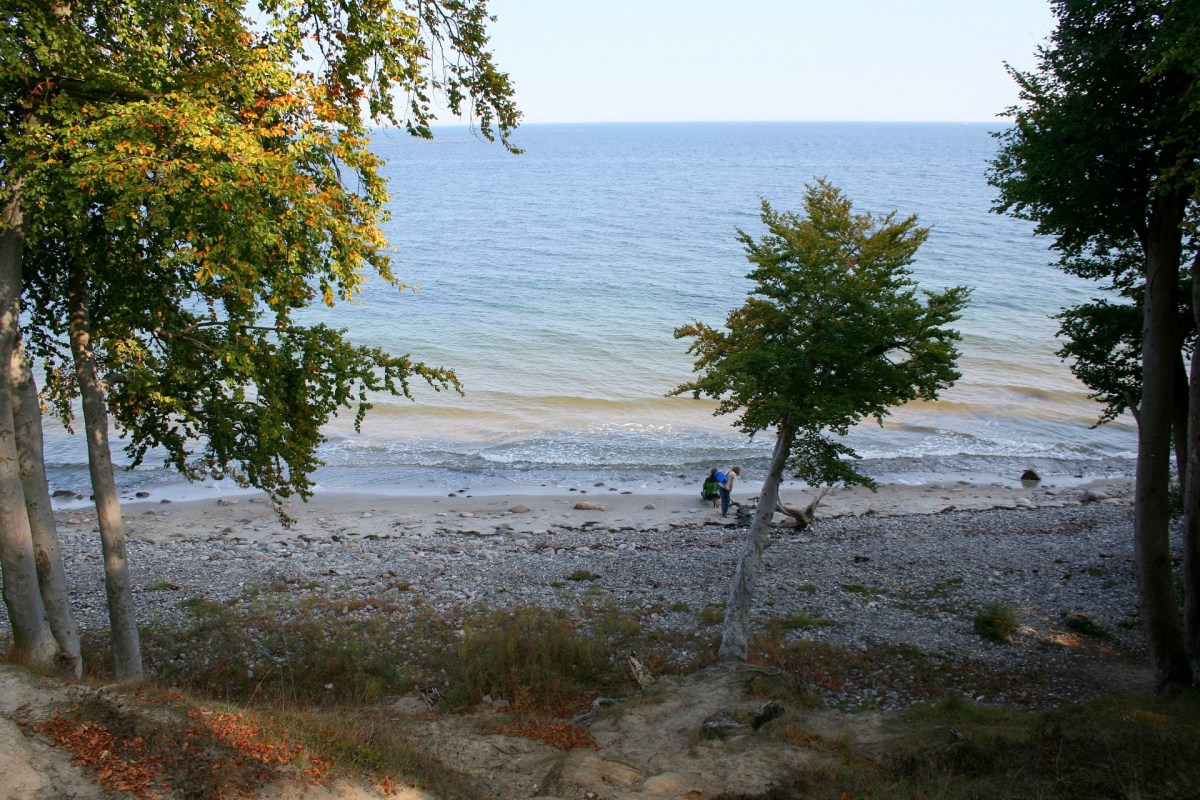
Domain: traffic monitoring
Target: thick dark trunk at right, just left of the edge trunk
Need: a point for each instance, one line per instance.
(1153, 549)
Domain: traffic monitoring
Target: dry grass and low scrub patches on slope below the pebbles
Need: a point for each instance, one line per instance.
(321, 676)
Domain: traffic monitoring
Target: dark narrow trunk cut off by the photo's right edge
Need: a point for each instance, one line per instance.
(1192, 503)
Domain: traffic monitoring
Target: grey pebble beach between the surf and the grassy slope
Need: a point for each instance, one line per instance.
(907, 564)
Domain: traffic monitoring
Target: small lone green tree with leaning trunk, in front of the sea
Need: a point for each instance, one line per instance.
(833, 333)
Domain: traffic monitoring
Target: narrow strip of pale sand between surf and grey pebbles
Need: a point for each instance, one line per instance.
(161, 518)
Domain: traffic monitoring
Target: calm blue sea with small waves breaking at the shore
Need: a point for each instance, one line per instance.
(553, 281)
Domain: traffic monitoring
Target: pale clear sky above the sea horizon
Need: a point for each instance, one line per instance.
(706, 61)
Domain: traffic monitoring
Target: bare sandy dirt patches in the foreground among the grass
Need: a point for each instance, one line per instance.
(649, 747)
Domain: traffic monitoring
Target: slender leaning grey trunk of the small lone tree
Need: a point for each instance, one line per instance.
(736, 630)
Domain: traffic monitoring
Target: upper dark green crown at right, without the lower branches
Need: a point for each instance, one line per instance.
(1090, 191)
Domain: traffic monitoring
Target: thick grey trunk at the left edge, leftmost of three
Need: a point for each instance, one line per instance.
(32, 637)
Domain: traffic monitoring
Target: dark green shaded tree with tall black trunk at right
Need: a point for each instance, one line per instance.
(1119, 203)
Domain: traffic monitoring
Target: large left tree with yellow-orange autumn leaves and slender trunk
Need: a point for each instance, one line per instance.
(185, 178)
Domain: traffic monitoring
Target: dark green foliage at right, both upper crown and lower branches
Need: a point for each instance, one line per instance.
(1131, 70)
